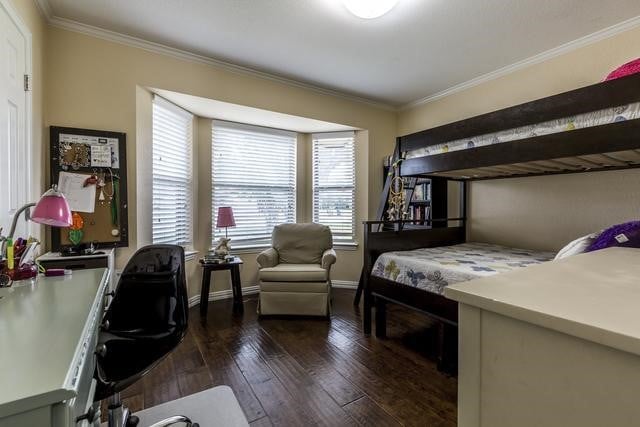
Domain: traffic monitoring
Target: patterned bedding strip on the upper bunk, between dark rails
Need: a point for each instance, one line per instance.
(594, 118)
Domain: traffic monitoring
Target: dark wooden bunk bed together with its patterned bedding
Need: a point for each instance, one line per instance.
(593, 128)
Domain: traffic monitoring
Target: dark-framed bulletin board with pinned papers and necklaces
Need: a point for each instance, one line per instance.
(90, 168)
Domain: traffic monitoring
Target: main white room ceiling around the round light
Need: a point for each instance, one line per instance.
(420, 48)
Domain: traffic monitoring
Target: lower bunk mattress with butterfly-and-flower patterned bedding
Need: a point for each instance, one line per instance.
(432, 269)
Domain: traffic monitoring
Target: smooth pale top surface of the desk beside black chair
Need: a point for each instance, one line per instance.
(42, 325)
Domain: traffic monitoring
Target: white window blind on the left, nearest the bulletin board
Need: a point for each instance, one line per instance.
(172, 174)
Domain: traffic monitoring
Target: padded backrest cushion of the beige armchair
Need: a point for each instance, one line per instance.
(301, 243)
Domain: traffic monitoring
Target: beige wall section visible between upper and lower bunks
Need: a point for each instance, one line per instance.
(547, 212)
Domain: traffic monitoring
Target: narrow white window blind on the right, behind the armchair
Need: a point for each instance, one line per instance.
(334, 183)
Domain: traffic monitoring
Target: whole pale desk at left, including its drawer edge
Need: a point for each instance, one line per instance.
(48, 333)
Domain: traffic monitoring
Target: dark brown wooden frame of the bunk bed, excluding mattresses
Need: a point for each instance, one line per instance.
(606, 147)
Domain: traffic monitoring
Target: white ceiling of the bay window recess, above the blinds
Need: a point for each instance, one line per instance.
(213, 109)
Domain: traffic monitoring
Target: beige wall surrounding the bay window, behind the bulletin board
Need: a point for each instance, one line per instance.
(98, 84)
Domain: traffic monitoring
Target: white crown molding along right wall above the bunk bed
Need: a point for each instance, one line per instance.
(536, 59)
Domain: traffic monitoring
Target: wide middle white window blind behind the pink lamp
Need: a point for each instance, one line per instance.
(254, 172)
